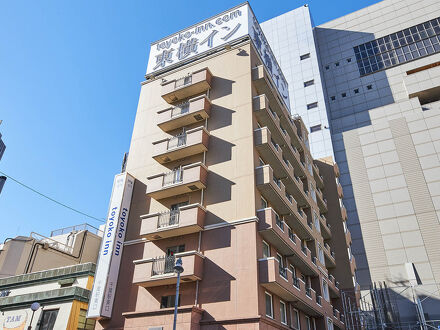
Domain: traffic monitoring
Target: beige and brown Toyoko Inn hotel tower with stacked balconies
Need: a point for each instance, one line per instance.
(221, 177)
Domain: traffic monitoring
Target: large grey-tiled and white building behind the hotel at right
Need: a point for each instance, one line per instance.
(370, 82)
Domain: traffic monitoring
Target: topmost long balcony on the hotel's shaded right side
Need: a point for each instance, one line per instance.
(264, 85)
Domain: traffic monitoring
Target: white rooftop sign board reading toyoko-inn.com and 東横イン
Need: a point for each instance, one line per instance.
(212, 34)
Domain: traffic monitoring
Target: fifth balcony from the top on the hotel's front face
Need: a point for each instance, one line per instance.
(187, 219)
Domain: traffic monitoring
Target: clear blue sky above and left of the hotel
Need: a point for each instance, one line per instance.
(69, 86)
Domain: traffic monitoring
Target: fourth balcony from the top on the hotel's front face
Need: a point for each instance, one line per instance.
(184, 180)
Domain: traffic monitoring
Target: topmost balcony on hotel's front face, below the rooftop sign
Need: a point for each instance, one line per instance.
(188, 86)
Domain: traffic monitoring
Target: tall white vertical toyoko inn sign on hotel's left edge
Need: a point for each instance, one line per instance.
(107, 270)
